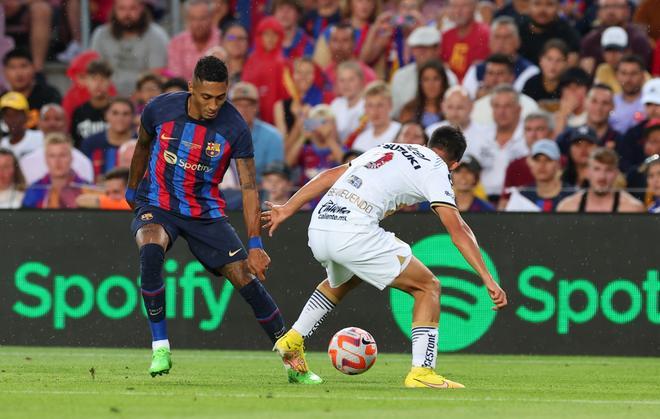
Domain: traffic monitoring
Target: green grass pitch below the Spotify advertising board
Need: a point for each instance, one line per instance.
(113, 383)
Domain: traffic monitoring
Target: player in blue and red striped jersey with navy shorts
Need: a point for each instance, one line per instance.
(185, 144)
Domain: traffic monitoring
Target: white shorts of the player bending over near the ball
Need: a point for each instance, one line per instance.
(376, 257)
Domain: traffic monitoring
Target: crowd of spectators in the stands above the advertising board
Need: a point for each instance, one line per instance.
(559, 100)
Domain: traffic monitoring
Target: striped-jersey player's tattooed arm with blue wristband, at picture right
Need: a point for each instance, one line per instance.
(258, 259)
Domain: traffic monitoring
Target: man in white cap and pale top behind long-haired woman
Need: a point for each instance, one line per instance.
(424, 43)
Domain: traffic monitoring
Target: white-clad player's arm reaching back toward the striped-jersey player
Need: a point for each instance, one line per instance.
(315, 187)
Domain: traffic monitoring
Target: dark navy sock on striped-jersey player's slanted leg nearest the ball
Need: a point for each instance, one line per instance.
(265, 310)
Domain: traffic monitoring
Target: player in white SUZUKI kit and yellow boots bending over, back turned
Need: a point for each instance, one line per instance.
(345, 237)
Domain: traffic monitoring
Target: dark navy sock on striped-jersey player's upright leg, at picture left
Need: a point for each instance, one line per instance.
(152, 257)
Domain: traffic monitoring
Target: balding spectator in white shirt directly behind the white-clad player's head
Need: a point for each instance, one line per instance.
(457, 108)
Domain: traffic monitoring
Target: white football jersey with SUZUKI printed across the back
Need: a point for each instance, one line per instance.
(379, 182)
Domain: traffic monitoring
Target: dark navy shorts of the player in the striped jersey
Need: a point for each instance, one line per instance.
(213, 242)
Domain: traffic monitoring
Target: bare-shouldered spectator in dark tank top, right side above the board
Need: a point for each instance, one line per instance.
(601, 195)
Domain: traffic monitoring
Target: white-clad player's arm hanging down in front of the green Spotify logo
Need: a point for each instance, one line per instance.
(466, 242)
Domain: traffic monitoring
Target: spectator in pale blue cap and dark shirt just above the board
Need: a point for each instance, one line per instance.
(546, 189)
